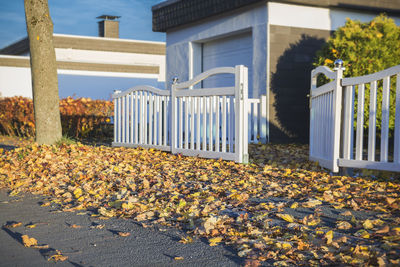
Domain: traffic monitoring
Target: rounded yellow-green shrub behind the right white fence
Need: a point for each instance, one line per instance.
(365, 48)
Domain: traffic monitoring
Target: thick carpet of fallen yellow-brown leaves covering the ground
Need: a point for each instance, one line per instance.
(284, 213)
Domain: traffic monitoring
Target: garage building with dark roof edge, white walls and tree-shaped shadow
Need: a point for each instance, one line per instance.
(276, 40)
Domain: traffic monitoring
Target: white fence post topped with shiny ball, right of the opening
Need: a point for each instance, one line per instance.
(337, 109)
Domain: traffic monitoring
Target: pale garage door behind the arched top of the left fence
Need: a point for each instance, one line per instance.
(228, 52)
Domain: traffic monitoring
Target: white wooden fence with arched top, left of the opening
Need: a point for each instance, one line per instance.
(209, 122)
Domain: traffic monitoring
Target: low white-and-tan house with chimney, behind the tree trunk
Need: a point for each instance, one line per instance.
(88, 66)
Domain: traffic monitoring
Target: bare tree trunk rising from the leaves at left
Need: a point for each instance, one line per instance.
(46, 100)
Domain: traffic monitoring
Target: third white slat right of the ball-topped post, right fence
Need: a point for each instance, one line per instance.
(372, 122)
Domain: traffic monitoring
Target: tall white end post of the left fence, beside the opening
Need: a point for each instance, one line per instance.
(241, 138)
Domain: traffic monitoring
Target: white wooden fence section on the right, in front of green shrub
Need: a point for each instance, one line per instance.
(334, 142)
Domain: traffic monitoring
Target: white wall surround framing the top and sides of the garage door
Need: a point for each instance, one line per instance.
(179, 44)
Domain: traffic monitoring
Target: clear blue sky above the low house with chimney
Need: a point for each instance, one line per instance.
(79, 17)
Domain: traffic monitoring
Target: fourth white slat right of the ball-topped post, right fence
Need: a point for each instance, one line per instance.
(385, 120)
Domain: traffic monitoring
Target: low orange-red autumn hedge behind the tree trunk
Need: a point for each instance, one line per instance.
(80, 117)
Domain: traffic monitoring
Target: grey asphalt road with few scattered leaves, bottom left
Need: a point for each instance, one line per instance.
(88, 244)
